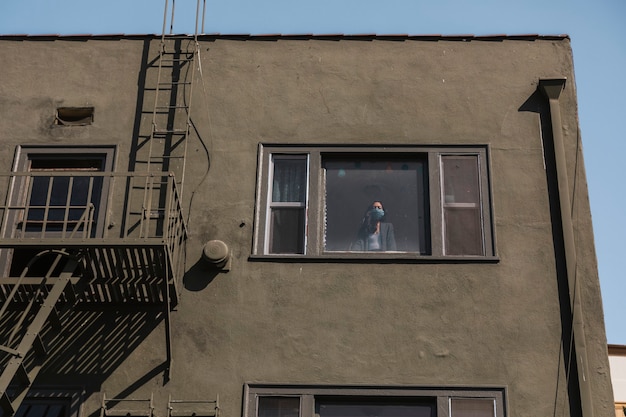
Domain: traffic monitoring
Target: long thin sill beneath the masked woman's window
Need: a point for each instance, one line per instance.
(386, 257)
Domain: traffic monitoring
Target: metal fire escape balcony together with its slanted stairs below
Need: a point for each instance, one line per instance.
(135, 262)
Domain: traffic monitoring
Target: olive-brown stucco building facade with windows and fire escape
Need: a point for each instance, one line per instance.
(252, 281)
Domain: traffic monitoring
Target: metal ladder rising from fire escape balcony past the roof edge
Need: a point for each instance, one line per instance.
(171, 111)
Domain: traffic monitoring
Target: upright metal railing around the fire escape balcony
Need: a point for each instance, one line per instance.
(147, 197)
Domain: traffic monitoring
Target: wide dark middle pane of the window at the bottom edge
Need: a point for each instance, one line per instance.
(373, 409)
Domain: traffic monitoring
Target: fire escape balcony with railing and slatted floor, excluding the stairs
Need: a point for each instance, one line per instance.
(124, 231)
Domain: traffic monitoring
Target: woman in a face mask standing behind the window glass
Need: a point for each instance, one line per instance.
(375, 233)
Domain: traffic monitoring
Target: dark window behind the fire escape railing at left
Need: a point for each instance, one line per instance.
(56, 193)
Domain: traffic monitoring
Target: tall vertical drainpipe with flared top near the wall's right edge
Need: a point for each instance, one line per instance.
(552, 89)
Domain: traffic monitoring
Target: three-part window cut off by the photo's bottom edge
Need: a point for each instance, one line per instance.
(341, 401)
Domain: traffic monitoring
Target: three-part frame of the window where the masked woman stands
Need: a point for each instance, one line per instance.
(315, 201)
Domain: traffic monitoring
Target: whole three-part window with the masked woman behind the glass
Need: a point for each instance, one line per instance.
(321, 201)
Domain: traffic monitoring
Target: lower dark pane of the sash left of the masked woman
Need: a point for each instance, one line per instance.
(287, 230)
